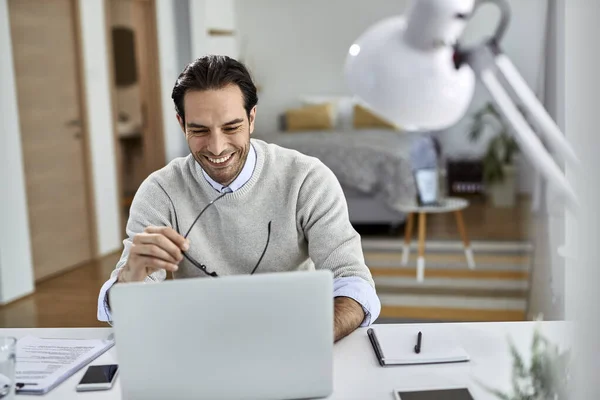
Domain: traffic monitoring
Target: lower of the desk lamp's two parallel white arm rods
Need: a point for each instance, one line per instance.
(527, 139)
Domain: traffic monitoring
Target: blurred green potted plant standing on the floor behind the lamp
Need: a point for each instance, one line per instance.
(499, 170)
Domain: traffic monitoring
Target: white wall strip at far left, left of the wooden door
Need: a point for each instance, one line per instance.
(16, 267)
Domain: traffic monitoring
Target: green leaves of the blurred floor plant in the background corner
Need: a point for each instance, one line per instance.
(502, 147)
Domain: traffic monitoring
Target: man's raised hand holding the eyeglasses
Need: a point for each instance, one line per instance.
(158, 247)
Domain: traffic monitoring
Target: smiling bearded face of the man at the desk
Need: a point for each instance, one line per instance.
(218, 131)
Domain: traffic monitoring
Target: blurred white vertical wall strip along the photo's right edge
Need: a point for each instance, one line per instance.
(582, 85)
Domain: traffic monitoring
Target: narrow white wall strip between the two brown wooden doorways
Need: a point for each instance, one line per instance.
(100, 124)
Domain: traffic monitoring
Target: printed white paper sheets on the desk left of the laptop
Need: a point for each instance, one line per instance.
(43, 363)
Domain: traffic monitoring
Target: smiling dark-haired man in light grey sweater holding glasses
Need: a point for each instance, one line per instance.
(237, 205)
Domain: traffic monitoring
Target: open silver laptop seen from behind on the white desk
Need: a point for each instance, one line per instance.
(267, 336)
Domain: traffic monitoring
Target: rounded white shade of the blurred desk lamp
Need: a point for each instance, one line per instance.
(403, 69)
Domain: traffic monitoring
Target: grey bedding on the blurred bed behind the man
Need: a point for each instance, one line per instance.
(373, 162)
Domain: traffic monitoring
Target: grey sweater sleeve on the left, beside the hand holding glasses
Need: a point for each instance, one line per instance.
(151, 206)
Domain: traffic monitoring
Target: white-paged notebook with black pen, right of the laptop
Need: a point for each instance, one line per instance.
(396, 346)
